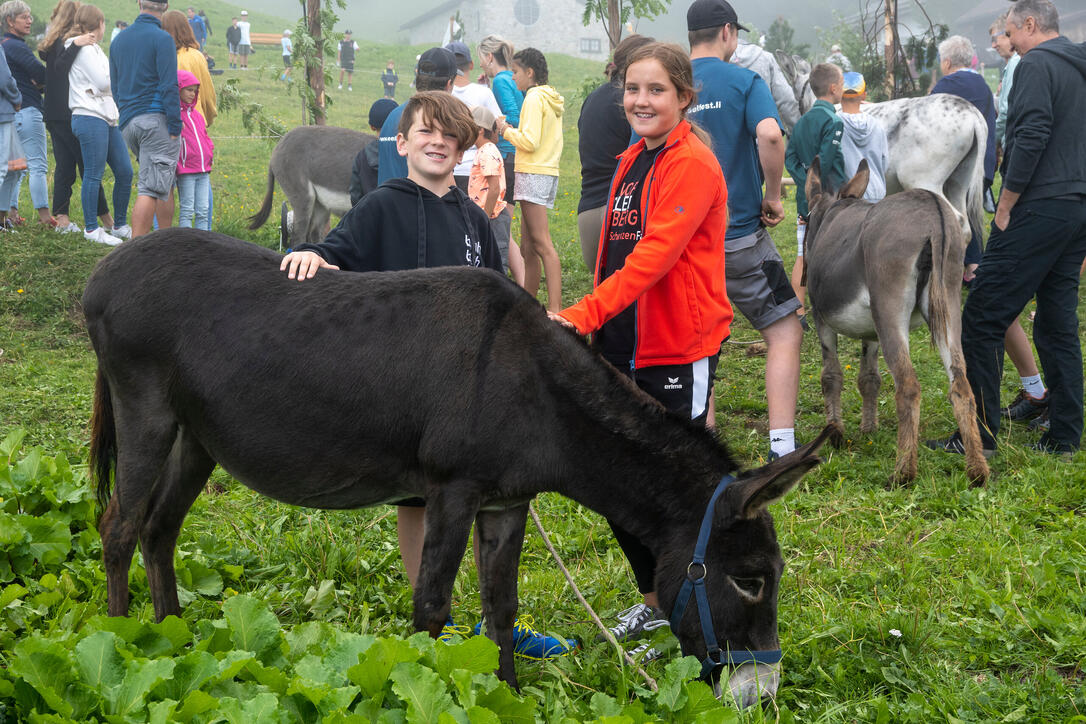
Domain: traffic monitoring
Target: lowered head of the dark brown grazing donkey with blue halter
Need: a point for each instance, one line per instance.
(742, 573)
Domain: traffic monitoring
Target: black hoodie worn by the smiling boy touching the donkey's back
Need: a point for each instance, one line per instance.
(402, 226)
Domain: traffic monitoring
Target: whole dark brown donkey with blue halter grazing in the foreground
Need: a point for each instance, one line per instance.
(355, 390)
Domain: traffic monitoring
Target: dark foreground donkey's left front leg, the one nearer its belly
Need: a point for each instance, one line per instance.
(450, 510)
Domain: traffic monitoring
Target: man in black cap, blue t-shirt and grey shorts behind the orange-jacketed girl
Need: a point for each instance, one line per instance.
(736, 107)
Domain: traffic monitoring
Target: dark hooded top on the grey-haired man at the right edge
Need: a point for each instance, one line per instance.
(1046, 123)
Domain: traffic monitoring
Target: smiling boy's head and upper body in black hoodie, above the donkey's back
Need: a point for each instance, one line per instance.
(423, 221)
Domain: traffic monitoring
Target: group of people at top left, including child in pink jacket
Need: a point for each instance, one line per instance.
(158, 104)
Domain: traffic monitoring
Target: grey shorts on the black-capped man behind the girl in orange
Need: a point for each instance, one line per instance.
(757, 284)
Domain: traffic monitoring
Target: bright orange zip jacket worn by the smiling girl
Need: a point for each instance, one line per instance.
(676, 273)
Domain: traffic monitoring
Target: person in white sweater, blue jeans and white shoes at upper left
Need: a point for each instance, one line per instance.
(95, 124)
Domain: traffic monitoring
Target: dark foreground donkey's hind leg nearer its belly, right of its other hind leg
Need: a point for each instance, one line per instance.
(182, 480)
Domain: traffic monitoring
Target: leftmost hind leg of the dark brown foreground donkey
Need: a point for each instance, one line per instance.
(143, 448)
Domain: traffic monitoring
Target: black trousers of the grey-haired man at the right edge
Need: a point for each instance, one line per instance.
(1040, 255)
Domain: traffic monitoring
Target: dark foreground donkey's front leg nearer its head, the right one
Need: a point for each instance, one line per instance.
(501, 535)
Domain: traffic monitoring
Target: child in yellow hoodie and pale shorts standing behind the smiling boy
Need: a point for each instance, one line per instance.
(536, 184)
